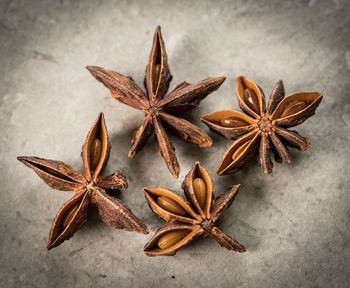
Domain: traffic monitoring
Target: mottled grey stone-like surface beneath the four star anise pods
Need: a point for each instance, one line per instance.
(295, 222)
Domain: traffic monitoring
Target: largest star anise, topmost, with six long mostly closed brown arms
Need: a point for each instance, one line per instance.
(160, 109)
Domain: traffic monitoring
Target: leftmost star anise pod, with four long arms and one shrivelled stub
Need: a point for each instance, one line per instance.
(91, 188)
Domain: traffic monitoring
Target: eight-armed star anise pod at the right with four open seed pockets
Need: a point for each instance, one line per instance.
(263, 128)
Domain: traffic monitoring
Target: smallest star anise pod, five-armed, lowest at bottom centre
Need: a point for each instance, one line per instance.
(188, 220)
